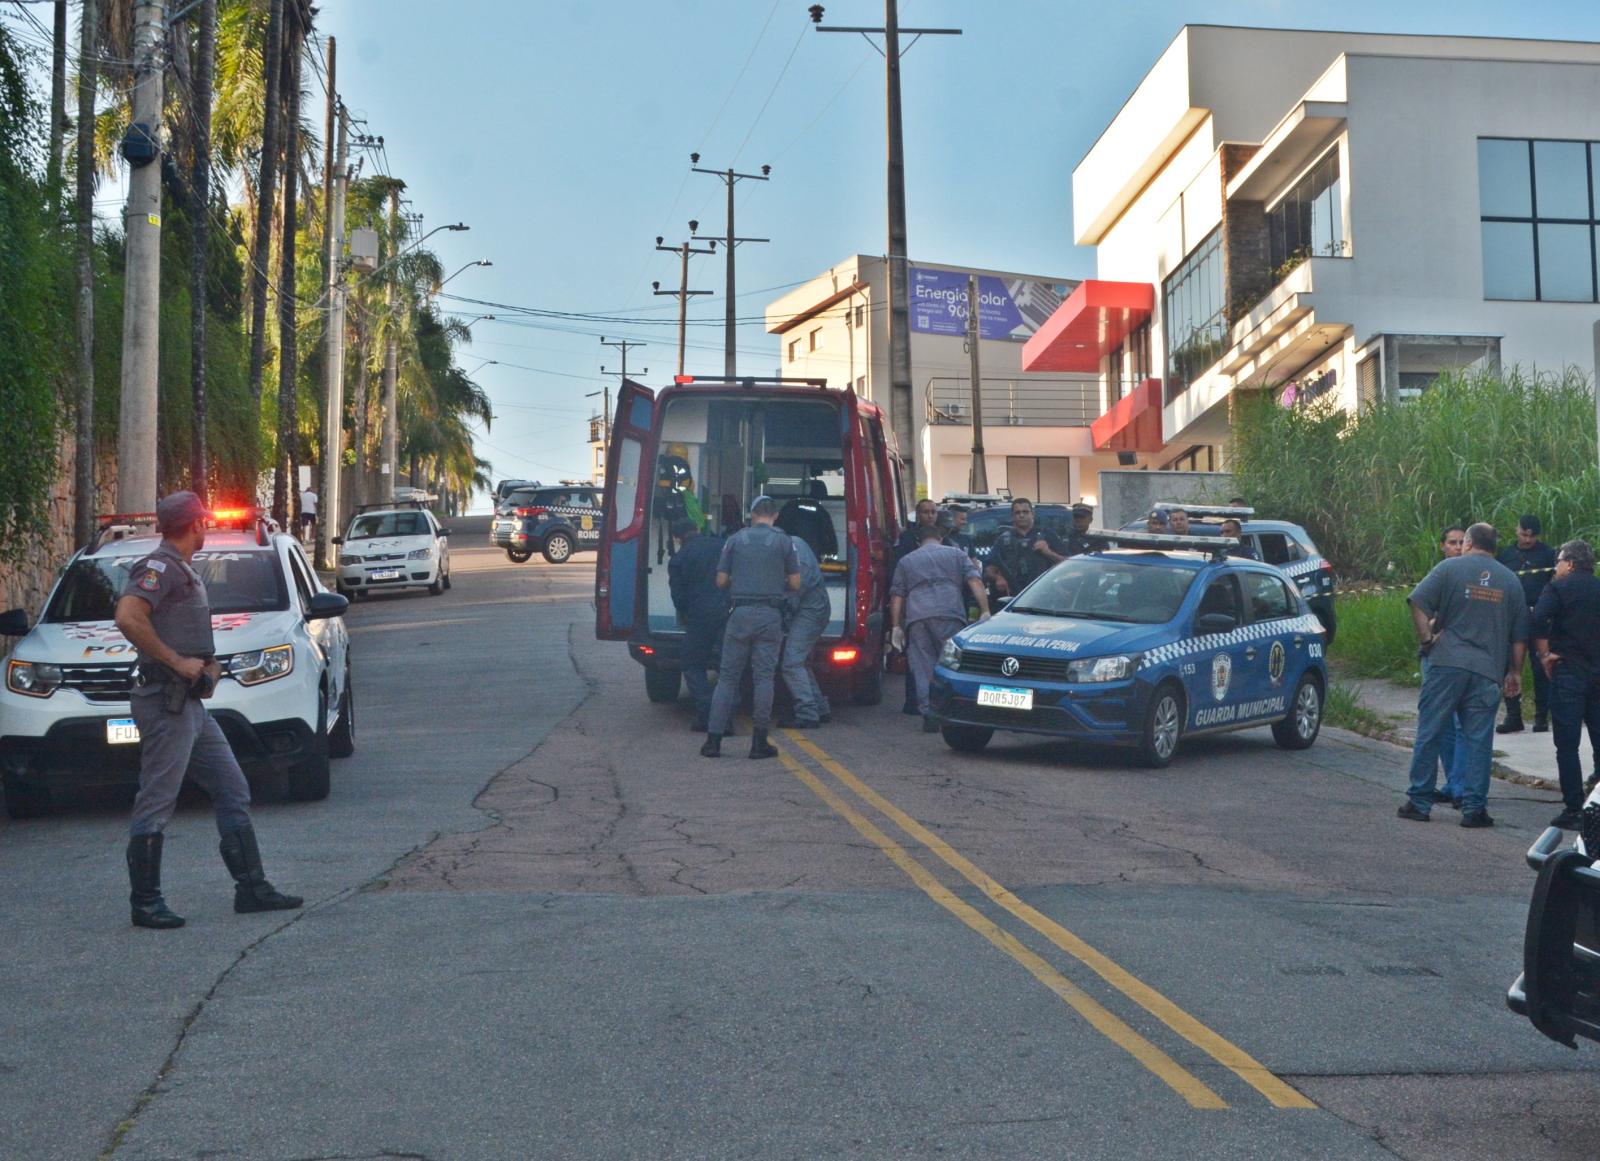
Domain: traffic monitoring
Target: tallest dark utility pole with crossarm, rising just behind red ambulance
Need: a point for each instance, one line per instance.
(898, 268)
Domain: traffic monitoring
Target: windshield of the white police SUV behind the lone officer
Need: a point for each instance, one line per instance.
(236, 581)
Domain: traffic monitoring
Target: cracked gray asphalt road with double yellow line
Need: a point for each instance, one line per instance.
(542, 927)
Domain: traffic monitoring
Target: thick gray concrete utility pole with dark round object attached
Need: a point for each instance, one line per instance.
(142, 333)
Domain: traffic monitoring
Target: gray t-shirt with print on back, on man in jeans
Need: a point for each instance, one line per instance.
(1479, 610)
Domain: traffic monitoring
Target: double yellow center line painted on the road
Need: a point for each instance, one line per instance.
(1190, 1087)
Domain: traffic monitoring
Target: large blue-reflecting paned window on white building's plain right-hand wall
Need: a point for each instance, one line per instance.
(1537, 201)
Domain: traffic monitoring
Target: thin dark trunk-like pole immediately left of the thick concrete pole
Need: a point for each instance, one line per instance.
(84, 298)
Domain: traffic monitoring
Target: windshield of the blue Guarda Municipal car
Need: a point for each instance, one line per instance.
(1137, 591)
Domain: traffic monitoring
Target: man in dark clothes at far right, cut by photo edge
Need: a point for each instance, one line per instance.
(1567, 648)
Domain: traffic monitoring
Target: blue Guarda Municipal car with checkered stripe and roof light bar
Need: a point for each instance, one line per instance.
(1140, 645)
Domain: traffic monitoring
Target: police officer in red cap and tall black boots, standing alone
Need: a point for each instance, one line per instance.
(164, 612)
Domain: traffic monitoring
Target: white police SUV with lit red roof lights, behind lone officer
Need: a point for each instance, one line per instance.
(286, 700)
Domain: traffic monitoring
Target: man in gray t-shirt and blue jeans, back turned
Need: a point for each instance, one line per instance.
(1473, 624)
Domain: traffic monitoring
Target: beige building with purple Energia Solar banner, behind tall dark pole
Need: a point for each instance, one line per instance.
(1036, 426)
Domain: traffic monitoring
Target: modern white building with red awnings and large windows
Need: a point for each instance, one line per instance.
(1329, 213)
